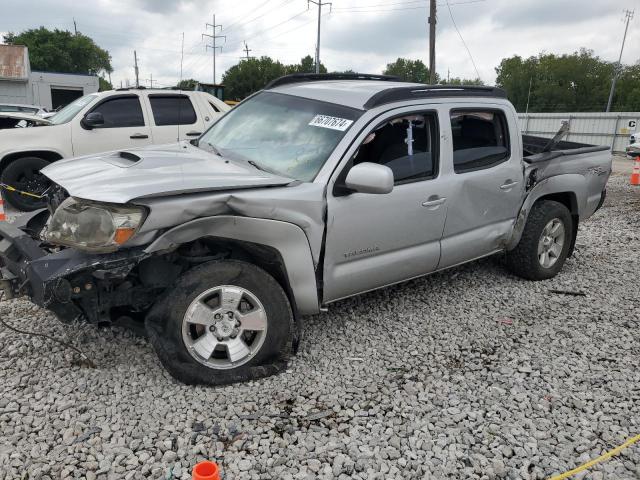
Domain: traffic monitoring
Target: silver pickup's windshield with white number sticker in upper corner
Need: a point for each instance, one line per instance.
(289, 135)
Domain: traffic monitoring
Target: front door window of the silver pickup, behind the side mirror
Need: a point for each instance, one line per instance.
(406, 144)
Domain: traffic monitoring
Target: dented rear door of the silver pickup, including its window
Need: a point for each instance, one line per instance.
(486, 183)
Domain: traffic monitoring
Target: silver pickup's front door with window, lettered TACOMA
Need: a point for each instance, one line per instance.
(375, 240)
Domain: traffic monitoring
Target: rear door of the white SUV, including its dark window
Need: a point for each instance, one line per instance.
(174, 117)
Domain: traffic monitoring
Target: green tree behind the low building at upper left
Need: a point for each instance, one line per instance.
(62, 51)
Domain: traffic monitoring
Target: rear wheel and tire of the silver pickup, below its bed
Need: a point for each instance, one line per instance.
(545, 242)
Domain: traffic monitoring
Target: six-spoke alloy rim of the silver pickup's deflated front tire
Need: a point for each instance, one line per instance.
(224, 327)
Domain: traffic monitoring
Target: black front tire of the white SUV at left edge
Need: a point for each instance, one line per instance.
(24, 174)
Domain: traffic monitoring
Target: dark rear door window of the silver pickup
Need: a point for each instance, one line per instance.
(480, 139)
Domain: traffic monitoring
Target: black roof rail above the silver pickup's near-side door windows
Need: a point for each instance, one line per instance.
(398, 94)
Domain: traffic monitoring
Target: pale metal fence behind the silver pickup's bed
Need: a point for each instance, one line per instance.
(611, 129)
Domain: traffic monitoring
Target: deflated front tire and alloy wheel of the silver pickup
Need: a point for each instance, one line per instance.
(223, 322)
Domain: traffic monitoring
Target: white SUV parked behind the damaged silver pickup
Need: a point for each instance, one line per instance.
(117, 119)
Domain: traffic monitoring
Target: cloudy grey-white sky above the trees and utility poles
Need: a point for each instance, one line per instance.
(356, 34)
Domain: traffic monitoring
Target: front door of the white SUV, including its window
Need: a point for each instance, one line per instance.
(126, 125)
